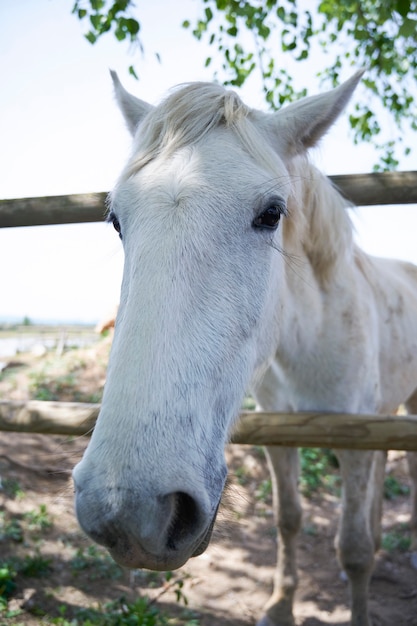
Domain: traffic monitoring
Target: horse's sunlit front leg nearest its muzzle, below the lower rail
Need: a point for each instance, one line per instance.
(284, 466)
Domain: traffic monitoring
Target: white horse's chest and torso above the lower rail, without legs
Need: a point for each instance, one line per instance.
(353, 348)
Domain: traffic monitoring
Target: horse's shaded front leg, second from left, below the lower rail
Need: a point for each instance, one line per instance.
(355, 541)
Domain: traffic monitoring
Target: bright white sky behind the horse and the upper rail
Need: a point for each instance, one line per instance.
(61, 133)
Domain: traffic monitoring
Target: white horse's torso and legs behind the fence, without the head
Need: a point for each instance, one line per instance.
(354, 351)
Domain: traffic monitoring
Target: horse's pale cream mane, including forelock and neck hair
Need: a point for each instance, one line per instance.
(317, 211)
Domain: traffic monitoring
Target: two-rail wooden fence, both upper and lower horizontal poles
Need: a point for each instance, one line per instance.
(383, 432)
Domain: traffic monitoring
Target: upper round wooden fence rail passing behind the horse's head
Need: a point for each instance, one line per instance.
(361, 189)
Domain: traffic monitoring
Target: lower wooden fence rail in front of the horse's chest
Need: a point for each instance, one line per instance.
(360, 432)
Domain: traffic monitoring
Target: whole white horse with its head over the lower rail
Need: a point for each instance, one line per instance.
(240, 270)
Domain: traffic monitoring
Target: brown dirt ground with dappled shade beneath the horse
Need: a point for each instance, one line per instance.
(228, 585)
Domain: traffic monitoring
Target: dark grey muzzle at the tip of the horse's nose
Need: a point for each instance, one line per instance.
(143, 531)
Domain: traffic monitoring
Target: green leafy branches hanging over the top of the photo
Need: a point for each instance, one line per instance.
(381, 37)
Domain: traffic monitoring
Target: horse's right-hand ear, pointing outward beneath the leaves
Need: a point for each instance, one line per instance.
(301, 125)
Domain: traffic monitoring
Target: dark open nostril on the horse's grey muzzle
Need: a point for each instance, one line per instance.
(185, 518)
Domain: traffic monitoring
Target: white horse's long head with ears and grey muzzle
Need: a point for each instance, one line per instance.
(202, 210)
